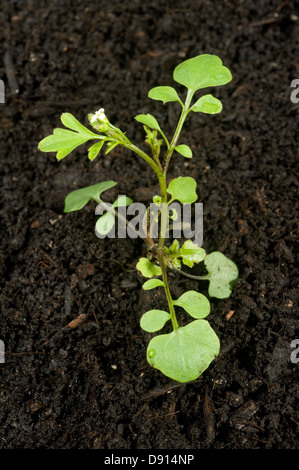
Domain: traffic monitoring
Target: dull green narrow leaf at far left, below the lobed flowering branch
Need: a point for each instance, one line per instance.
(77, 199)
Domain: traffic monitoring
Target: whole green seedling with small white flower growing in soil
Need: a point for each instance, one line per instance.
(187, 351)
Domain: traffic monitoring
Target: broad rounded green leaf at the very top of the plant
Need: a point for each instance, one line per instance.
(202, 71)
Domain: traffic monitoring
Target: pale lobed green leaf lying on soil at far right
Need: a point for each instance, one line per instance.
(223, 273)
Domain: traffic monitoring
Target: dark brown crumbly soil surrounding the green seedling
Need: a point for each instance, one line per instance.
(91, 386)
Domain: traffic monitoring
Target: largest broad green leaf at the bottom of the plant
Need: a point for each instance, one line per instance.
(186, 353)
